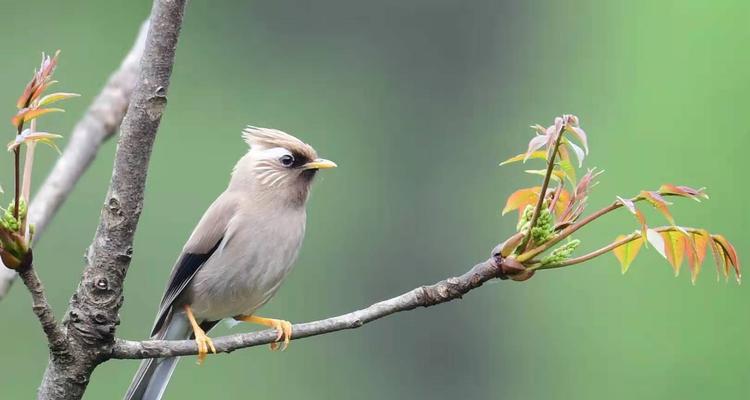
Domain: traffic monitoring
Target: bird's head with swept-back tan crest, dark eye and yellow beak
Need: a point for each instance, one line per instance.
(278, 164)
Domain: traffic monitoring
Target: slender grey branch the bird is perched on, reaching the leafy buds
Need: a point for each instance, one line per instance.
(425, 296)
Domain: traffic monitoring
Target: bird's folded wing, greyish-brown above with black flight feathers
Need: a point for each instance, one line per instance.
(203, 242)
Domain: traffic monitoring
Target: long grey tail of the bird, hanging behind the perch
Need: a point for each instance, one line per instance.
(153, 375)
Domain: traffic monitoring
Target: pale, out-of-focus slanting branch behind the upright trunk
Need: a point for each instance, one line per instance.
(98, 124)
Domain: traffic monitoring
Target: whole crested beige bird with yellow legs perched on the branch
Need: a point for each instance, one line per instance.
(239, 253)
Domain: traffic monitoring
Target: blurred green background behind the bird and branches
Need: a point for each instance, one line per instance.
(418, 101)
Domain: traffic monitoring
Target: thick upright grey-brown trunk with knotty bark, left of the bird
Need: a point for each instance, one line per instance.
(93, 314)
